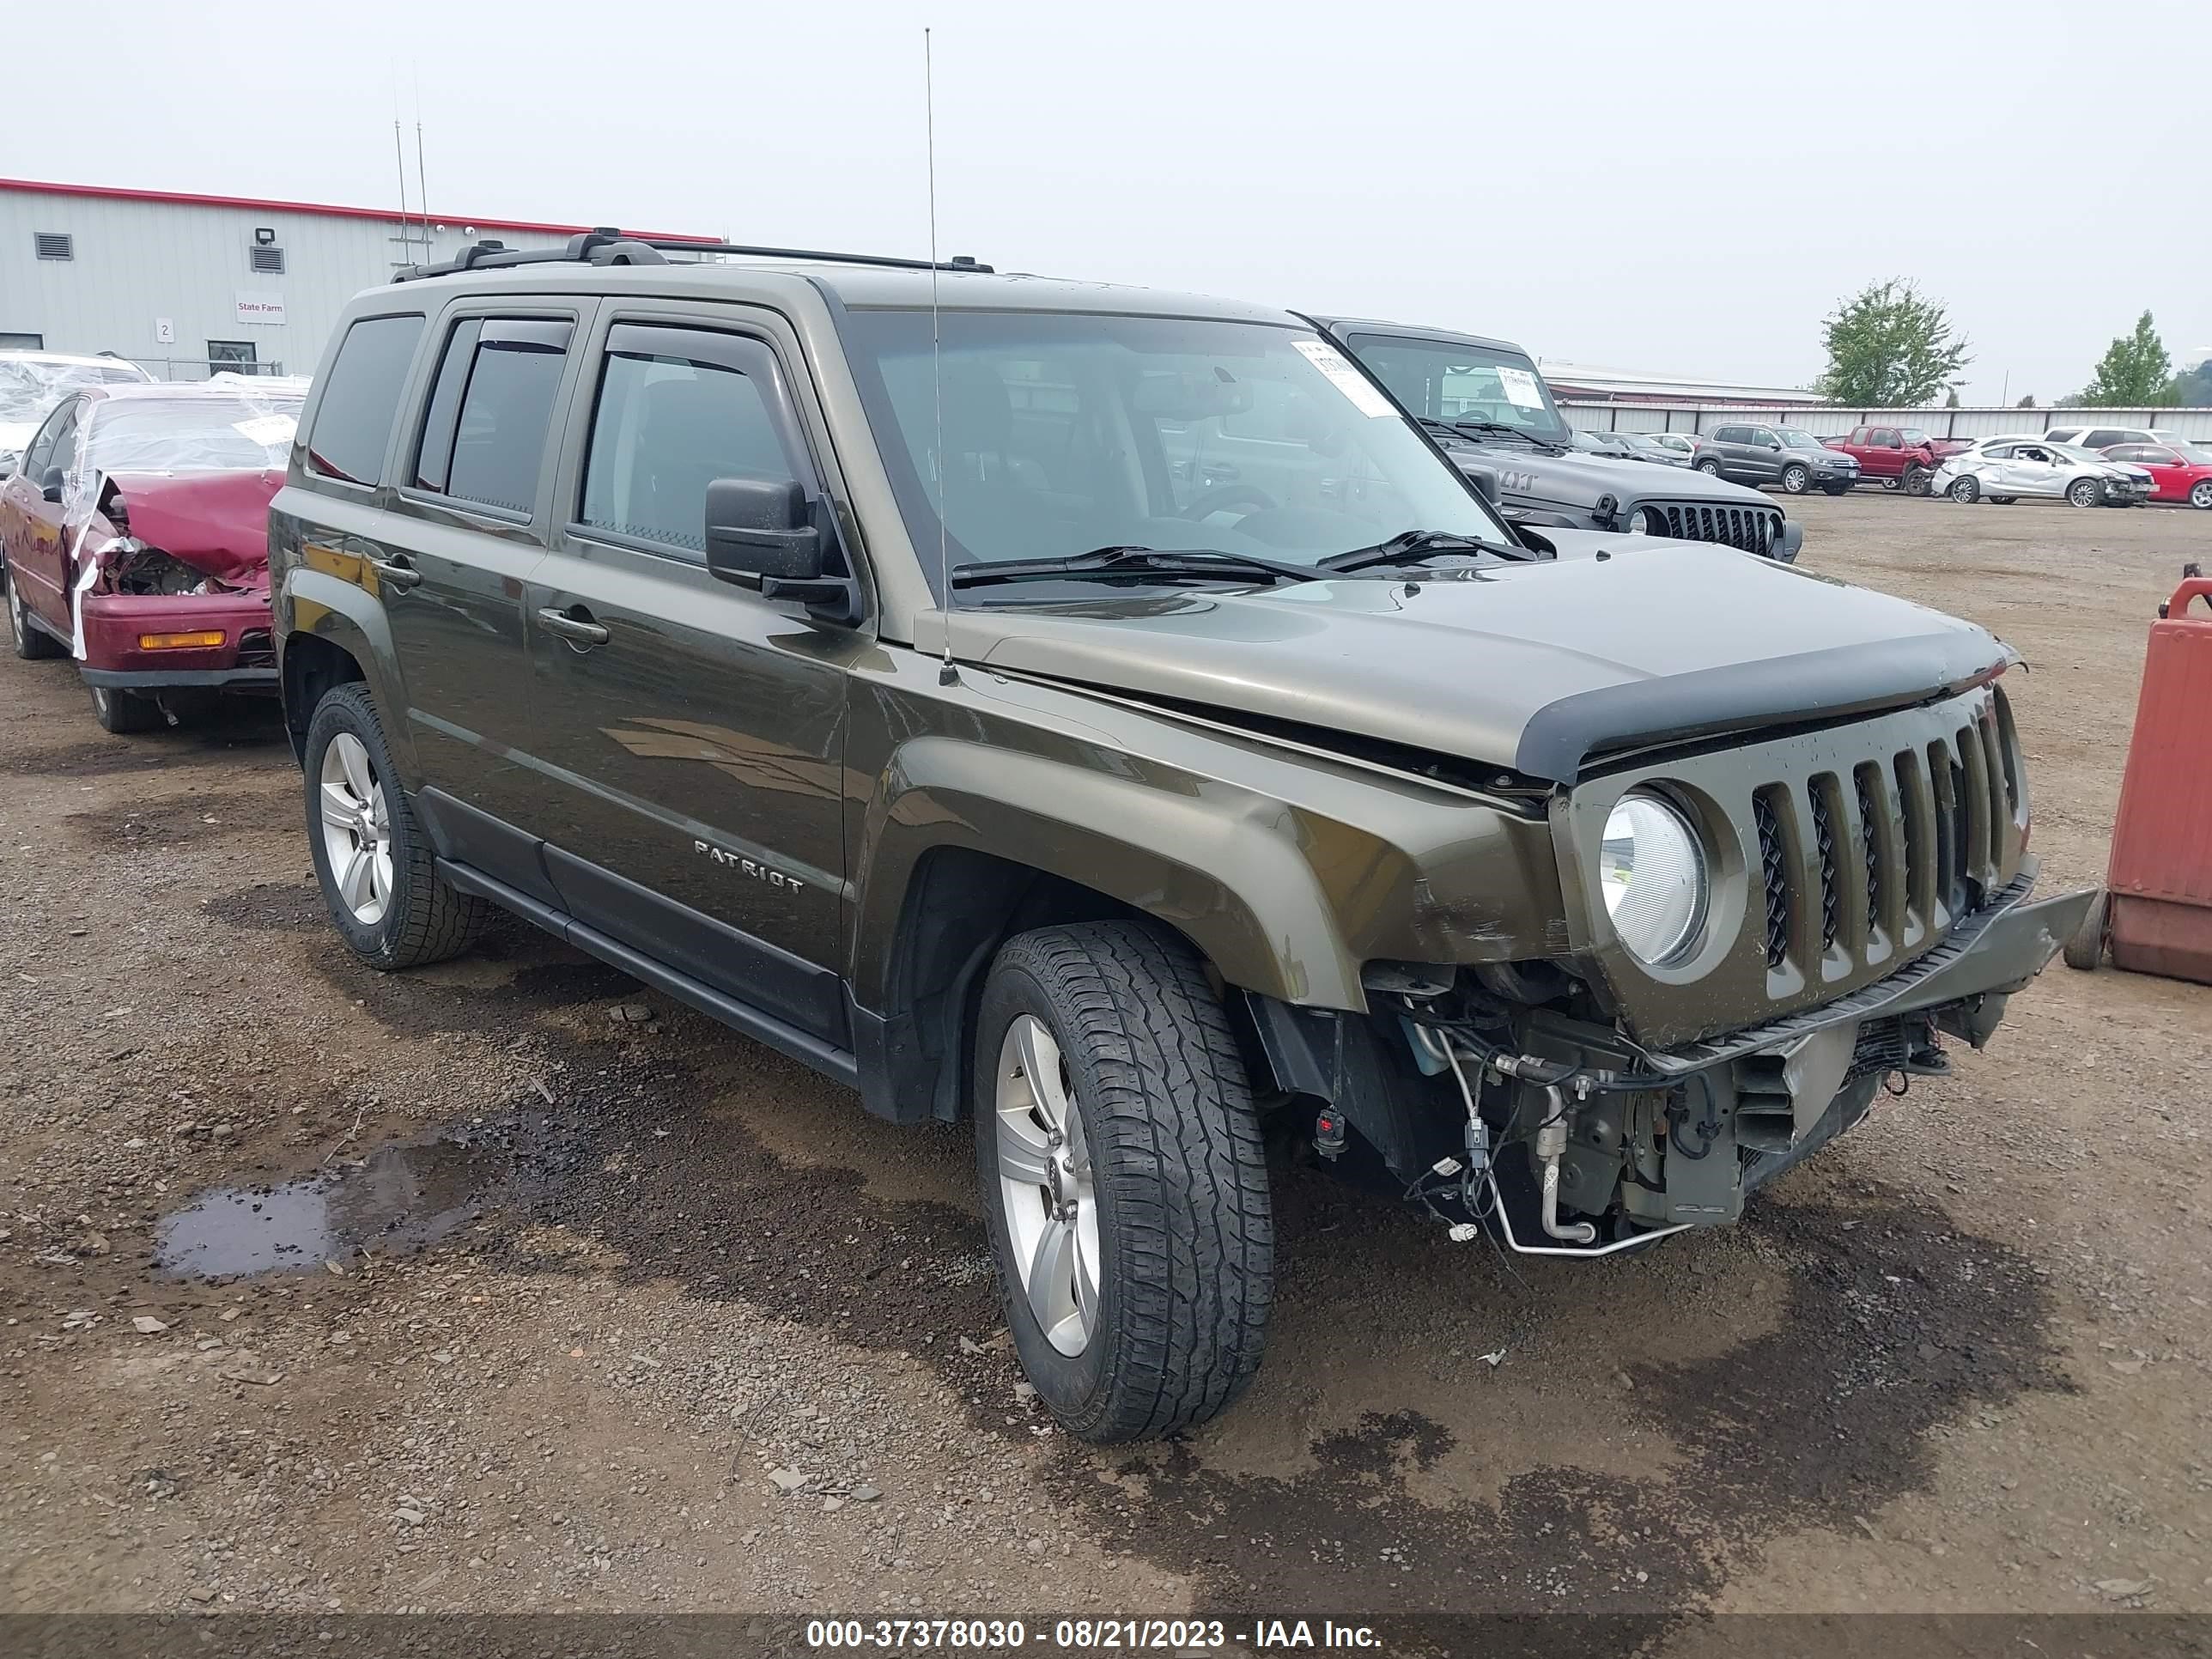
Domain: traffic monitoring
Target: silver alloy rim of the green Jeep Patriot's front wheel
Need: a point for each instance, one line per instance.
(1047, 1187)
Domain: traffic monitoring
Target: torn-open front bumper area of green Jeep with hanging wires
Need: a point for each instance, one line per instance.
(1527, 1116)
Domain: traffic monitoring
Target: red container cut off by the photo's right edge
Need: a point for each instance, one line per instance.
(2160, 884)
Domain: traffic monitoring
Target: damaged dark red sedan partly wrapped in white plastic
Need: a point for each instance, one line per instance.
(136, 541)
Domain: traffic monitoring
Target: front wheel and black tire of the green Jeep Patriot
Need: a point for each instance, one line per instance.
(1123, 1180)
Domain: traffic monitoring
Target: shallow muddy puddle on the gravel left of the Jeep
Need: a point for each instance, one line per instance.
(395, 1200)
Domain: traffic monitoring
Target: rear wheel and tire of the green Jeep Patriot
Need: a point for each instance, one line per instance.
(371, 855)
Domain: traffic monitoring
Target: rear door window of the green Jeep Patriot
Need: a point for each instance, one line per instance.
(490, 410)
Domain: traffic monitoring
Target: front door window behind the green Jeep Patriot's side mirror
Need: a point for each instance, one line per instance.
(676, 413)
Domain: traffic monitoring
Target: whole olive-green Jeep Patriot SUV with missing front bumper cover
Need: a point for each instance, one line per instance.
(1107, 716)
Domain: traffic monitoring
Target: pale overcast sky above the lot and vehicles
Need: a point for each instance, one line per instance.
(1660, 187)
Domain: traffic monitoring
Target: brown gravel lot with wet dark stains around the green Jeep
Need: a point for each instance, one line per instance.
(583, 1304)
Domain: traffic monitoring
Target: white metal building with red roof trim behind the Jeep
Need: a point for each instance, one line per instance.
(191, 284)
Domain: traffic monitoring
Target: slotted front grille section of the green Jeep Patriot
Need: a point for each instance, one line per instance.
(1884, 855)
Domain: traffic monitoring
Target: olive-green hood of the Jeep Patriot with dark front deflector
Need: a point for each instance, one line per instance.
(1538, 667)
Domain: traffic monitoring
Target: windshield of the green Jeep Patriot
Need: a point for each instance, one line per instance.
(1072, 432)
